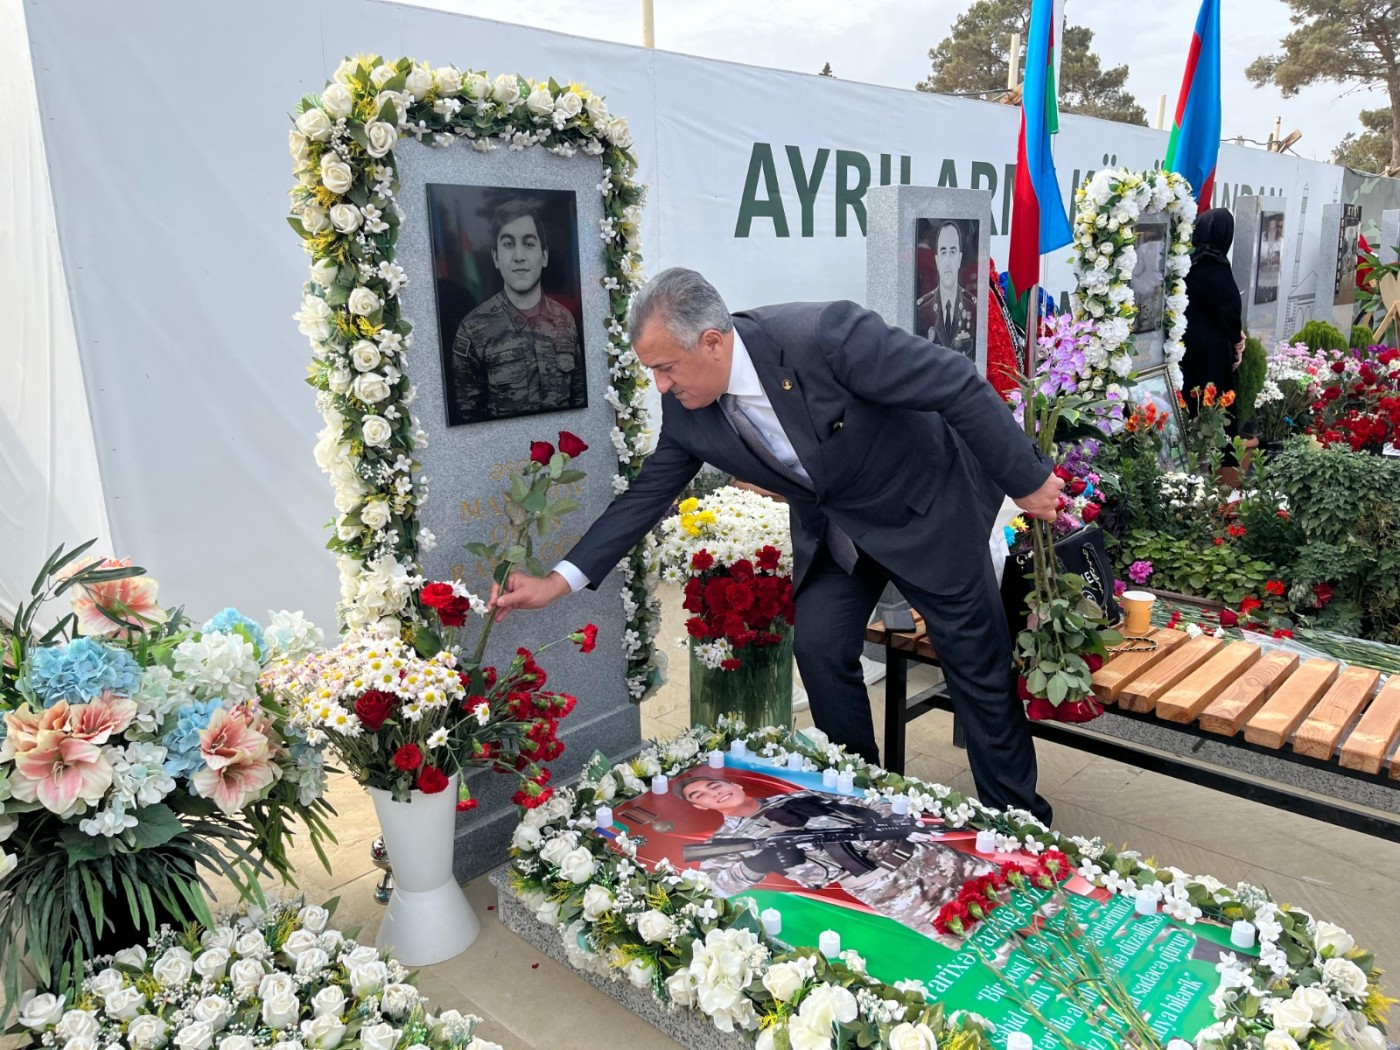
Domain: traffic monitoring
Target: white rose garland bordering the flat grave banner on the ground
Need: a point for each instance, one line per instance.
(666, 930)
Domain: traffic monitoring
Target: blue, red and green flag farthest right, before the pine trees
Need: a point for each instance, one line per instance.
(1196, 131)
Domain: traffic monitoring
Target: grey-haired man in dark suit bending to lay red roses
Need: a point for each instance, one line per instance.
(894, 456)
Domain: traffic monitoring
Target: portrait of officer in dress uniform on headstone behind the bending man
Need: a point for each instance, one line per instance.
(946, 283)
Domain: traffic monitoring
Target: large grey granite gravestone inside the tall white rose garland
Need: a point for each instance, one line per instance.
(470, 467)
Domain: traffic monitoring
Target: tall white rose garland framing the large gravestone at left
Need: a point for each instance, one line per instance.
(344, 208)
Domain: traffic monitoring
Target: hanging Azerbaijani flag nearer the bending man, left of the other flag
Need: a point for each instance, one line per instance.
(1038, 222)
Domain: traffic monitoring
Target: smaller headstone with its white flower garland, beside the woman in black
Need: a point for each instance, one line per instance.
(1132, 254)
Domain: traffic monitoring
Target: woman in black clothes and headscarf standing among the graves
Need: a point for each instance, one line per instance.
(1214, 335)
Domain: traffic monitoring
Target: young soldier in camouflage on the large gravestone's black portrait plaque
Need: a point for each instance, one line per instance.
(519, 352)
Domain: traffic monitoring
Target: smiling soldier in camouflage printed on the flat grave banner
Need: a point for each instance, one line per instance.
(906, 880)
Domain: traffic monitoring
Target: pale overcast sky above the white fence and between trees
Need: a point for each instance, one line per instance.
(887, 43)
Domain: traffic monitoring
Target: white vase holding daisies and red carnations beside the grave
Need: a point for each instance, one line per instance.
(429, 919)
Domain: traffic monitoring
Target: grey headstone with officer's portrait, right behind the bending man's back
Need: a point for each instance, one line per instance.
(926, 264)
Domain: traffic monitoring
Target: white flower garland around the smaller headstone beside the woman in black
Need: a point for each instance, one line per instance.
(1105, 232)
